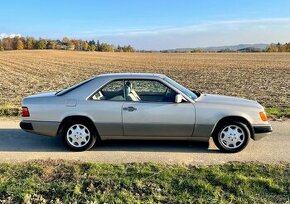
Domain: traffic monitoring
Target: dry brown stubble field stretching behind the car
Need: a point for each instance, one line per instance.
(261, 76)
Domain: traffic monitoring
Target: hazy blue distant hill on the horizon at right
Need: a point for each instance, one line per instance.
(228, 48)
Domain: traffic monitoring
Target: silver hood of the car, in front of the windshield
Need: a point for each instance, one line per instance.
(227, 100)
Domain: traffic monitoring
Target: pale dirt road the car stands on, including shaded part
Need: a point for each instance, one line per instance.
(17, 145)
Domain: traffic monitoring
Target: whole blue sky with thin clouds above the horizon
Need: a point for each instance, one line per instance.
(151, 24)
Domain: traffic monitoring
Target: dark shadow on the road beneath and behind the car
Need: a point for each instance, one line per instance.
(16, 140)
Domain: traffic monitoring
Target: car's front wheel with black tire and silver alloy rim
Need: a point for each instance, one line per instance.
(236, 143)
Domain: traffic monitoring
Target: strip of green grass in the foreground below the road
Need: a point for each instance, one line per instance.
(60, 181)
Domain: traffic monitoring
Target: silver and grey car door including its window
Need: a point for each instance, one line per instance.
(156, 114)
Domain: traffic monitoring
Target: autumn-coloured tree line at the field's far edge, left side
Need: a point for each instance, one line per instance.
(30, 43)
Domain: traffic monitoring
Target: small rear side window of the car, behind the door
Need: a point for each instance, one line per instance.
(113, 91)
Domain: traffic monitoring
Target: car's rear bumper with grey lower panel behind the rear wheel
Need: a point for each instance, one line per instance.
(48, 128)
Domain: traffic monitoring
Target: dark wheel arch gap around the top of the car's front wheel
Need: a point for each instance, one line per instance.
(233, 118)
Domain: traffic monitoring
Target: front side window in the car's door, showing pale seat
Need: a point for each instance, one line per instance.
(148, 91)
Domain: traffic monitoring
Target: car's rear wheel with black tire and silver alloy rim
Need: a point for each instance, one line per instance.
(85, 127)
